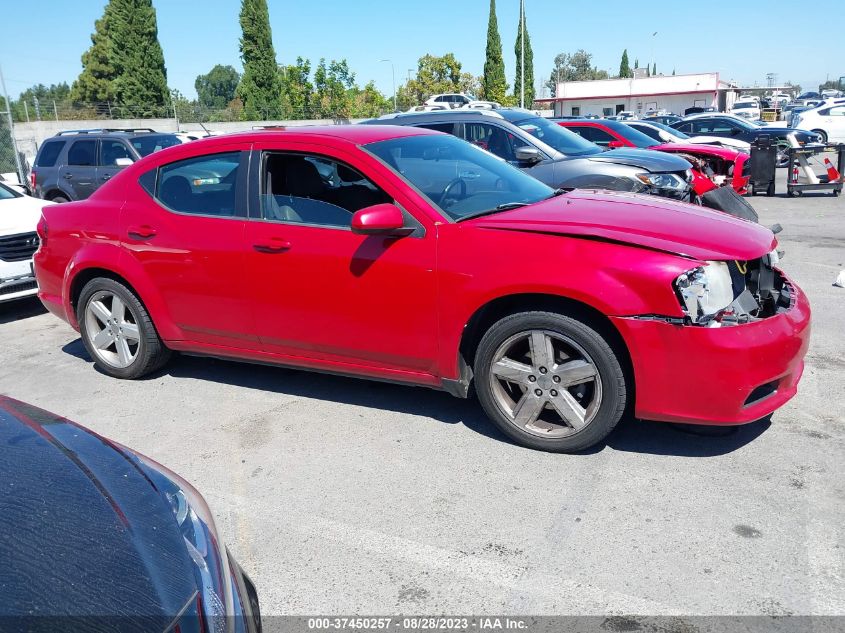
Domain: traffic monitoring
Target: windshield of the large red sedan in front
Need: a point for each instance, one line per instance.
(458, 178)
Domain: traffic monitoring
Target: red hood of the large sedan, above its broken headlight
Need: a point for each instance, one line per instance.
(640, 220)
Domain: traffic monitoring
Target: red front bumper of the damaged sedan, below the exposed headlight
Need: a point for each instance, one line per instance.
(728, 375)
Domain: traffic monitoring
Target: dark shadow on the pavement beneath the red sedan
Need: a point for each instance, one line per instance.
(631, 435)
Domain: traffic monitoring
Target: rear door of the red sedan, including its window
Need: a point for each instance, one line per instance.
(190, 242)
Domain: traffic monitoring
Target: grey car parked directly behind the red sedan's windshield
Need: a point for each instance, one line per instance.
(554, 155)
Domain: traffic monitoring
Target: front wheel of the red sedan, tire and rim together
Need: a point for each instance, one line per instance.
(550, 382)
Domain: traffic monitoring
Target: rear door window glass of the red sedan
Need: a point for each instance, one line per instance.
(204, 185)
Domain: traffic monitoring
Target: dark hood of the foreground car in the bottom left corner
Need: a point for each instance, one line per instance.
(83, 532)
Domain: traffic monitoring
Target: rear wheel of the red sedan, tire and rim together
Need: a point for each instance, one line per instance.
(117, 330)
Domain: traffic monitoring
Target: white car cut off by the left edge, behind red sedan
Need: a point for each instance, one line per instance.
(19, 215)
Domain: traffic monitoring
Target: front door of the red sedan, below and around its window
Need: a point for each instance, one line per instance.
(323, 292)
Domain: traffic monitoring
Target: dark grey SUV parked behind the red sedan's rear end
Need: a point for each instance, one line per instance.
(71, 165)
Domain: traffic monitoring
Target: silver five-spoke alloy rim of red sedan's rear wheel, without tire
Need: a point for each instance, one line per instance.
(112, 329)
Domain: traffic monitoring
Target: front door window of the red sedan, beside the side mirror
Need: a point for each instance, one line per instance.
(316, 190)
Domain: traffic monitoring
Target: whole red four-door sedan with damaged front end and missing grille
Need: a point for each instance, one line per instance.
(407, 255)
